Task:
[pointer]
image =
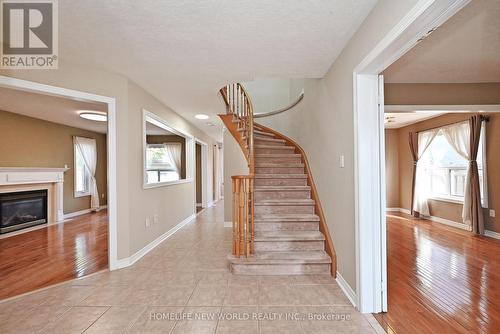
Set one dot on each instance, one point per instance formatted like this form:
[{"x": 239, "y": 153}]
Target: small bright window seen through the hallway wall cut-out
[{"x": 159, "y": 167}]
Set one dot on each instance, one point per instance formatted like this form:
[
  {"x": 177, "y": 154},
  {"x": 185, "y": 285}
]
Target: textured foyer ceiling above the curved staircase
[{"x": 182, "y": 52}]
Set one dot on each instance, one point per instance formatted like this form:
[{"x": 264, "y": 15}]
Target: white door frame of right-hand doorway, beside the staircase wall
[{"x": 370, "y": 224}]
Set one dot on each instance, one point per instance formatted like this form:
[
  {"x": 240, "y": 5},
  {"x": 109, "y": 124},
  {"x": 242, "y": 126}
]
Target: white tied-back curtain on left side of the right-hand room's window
[{"x": 420, "y": 196}]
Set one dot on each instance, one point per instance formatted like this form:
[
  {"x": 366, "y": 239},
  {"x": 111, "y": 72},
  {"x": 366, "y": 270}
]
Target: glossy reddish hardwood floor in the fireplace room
[{"x": 53, "y": 254}]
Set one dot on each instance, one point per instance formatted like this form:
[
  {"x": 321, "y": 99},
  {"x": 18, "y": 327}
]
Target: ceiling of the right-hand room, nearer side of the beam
[{"x": 465, "y": 49}]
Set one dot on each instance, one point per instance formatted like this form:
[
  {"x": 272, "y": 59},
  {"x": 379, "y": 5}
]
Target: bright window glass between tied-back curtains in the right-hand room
[{"x": 446, "y": 170}]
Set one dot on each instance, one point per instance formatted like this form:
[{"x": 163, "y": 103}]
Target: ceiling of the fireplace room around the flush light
[{"x": 51, "y": 108}]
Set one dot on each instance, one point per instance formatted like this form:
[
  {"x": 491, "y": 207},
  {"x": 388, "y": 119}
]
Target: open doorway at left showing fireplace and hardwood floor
[{"x": 53, "y": 189}]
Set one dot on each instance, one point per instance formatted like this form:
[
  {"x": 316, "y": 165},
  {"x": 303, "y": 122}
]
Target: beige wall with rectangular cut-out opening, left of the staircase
[{"x": 174, "y": 203}]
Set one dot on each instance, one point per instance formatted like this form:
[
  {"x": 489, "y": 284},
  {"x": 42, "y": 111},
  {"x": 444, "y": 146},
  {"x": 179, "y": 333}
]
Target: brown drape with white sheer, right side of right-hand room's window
[{"x": 464, "y": 138}]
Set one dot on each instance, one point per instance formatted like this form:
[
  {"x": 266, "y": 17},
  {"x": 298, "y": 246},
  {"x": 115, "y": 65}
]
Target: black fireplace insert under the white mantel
[{"x": 19, "y": 210}]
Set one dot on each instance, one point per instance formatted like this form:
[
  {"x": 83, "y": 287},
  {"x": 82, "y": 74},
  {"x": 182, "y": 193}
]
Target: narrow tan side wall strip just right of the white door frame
[{"x": 392, "y": 168}]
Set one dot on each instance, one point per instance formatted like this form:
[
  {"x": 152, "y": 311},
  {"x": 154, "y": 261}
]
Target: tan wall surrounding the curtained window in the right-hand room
[{"x": 442, "y": 209}]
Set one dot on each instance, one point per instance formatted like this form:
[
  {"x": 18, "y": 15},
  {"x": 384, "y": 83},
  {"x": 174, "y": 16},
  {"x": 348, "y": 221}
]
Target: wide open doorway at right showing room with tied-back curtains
[{"x": 441, "y": 130}]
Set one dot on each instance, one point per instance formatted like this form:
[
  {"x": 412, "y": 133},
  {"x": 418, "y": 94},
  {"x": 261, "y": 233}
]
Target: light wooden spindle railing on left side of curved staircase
[{"x": 239, "y": 121}]
